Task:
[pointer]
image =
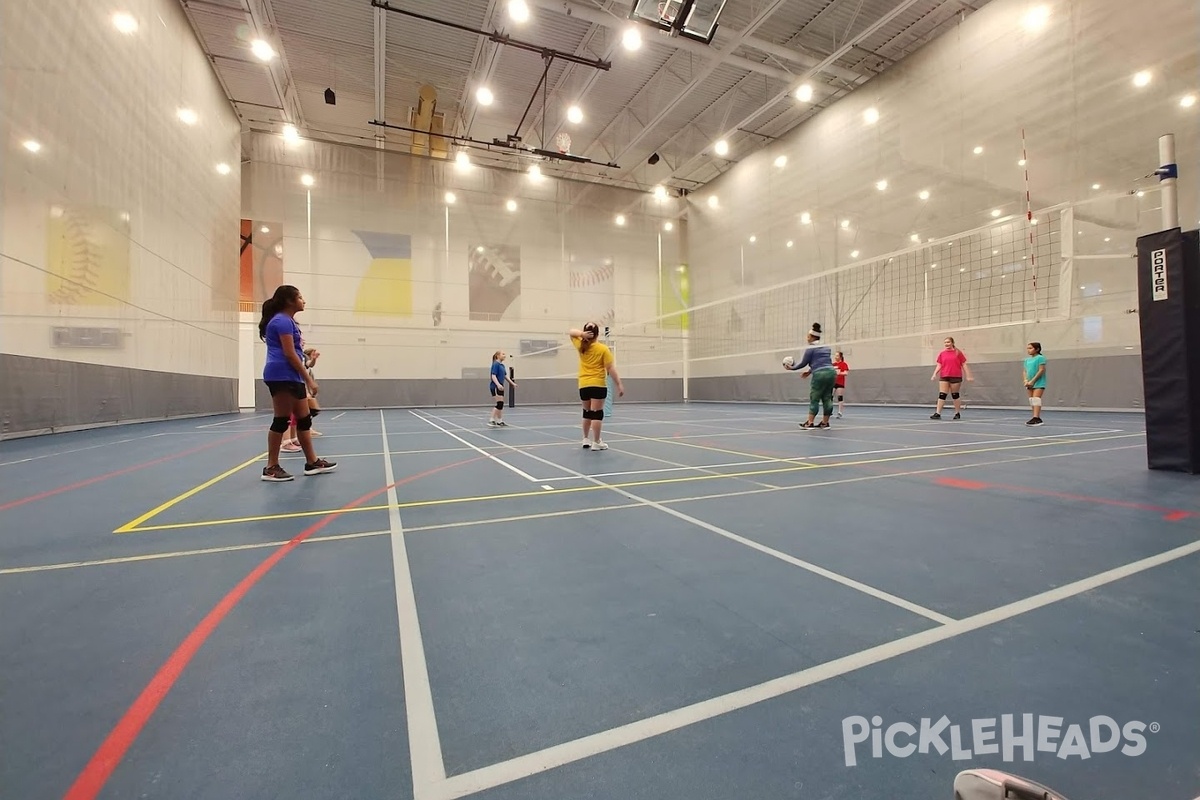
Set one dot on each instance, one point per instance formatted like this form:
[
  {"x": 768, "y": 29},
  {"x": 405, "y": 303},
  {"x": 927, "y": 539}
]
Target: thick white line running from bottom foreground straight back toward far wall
[{"x": 424, "y": 745}]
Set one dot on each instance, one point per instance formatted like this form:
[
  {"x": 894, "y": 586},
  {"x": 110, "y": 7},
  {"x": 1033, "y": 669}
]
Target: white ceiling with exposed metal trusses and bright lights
[{"x": 674, "y": 97}]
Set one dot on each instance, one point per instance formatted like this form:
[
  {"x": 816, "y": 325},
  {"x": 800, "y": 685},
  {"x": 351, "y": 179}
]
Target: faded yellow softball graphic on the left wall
[{"x": 88, "y": 257}]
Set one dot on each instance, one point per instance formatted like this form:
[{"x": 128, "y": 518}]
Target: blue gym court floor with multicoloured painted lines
[{"x": 719, "y": 606}]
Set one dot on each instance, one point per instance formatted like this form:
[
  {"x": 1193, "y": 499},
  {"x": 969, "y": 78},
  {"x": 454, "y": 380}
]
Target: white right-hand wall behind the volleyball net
[{"x": 1069, "y": 88}]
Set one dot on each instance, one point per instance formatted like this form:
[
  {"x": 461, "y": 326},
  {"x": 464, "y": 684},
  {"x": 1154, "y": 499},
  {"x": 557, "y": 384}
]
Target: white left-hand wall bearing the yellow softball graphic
[{"x": 122, "y": 220}]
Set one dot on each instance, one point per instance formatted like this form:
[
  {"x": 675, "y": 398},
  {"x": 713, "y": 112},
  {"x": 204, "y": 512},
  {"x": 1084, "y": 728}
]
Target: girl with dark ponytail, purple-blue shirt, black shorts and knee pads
[{"x": 289, "y": 382}]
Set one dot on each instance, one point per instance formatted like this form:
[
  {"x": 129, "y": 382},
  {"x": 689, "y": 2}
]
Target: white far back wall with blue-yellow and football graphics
[{"x": 575, "y": 262}]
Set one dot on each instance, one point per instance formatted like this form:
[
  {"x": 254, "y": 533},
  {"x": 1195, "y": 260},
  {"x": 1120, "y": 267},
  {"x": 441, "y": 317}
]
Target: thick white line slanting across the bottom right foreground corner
[{"x": 573, "y": 751}]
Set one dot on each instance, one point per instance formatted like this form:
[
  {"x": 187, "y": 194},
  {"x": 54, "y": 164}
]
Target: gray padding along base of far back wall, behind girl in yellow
[{"x": 454, "y": 392}]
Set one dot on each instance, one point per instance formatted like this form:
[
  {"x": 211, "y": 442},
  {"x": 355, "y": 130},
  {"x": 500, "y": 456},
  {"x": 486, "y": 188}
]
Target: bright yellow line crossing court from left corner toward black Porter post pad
[{"x": 688, "y": 479}]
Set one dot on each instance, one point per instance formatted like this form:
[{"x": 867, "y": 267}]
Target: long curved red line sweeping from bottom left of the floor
[{"x": 94, "y": 777}]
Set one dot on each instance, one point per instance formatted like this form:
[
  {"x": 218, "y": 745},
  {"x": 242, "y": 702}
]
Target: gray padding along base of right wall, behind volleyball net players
[{"x": 1099, "y": 383}]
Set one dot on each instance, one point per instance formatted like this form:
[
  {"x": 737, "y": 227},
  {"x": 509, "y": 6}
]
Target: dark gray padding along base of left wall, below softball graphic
[{"x": 45, "y": 395}]
